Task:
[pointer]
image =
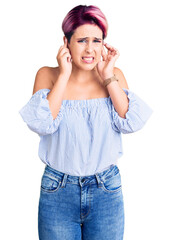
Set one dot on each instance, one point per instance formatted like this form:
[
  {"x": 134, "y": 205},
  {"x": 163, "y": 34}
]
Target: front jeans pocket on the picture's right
[{"x": 112, "y": 184}]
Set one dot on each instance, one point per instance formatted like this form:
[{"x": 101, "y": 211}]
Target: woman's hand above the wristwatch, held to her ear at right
[{"x": 106, "y": 66}]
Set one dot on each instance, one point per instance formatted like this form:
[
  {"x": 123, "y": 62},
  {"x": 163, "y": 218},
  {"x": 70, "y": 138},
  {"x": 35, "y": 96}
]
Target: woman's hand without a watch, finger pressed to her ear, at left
[{"x": 64, "y": 59}]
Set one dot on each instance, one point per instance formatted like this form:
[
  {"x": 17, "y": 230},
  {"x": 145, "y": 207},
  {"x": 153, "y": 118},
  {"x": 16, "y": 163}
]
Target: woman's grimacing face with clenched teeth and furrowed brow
[{"x": 86, "y": 45}]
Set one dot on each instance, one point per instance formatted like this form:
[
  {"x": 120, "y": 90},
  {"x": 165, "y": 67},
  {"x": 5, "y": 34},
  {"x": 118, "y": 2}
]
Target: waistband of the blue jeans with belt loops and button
[{"x": 81, "y": 180}]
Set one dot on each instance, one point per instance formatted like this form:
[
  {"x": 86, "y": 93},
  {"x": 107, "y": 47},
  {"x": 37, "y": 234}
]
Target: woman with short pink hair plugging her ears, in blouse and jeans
[{"x": 79, "y": 109}]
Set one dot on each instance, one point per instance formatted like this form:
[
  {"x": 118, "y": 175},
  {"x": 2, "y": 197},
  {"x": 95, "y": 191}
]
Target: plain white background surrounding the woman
[{"x": 30, "y": 38}]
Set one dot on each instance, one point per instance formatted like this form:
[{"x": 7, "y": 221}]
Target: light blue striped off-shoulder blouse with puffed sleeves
[{"x": 85, "y": 137}]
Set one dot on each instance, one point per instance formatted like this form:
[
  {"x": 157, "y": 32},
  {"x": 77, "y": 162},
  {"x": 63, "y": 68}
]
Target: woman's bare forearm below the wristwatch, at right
[{"x": 119, "y": 98}]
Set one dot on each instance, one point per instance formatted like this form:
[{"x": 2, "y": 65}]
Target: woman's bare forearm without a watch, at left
[{"x": 55, "y": 96}]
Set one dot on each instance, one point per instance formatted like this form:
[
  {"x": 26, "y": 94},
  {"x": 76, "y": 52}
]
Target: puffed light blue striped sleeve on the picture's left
[{"x": 37, "y": 114}]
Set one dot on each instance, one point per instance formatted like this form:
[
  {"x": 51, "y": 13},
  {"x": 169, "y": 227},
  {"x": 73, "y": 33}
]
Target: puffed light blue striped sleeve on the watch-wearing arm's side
[{"x": 137, "y": 115}]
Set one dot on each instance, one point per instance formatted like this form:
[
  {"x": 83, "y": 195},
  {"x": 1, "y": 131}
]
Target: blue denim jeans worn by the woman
[{"x": 75, "y": 208}]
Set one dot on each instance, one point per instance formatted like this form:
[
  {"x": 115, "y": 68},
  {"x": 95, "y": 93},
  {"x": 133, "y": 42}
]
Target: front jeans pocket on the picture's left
[{"x": 49, "y": 183}]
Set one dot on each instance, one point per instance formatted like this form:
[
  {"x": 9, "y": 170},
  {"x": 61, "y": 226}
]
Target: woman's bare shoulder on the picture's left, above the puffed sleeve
[{"x": 45, "y": 78}]
